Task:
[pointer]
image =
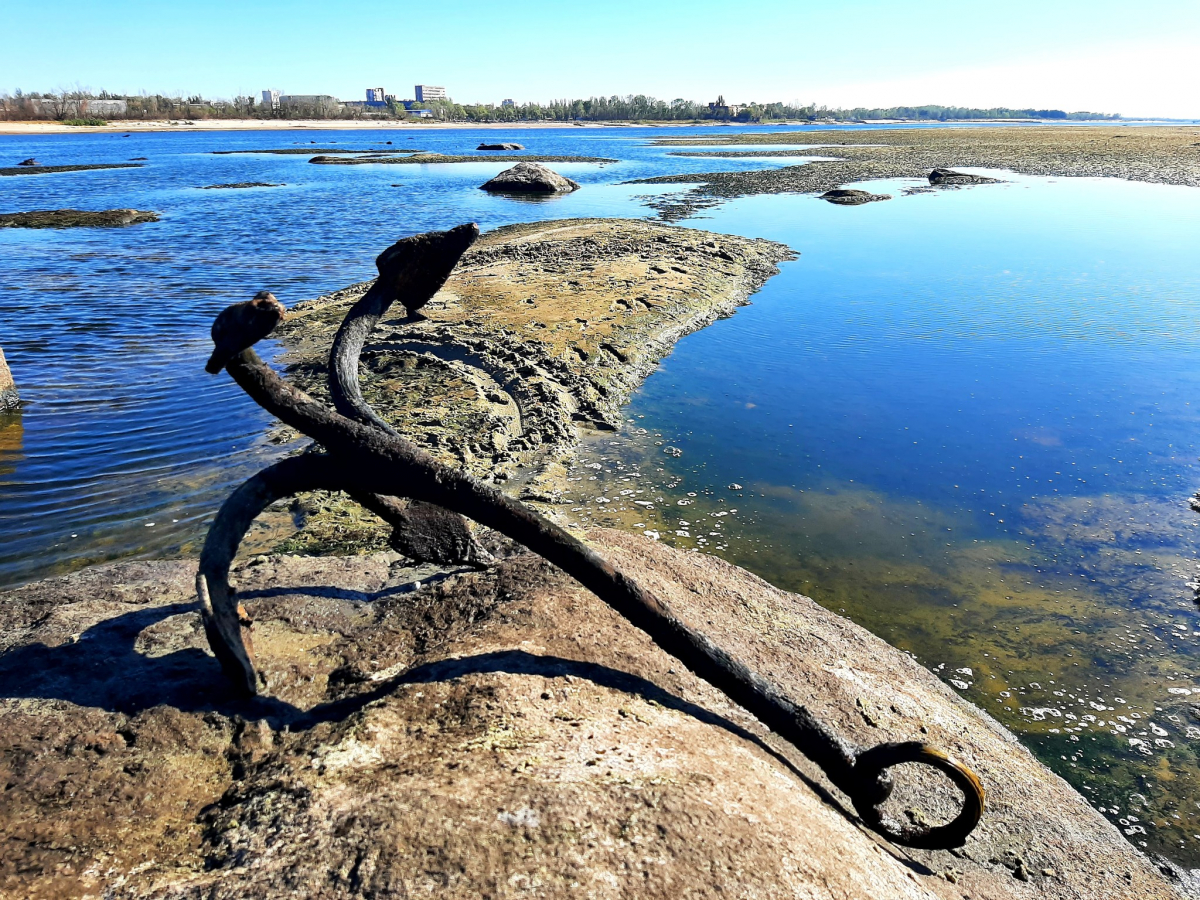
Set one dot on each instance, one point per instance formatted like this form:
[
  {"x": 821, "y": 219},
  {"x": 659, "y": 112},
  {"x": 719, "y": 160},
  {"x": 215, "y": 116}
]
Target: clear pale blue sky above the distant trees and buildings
[{"x": 1097, "y": 55}]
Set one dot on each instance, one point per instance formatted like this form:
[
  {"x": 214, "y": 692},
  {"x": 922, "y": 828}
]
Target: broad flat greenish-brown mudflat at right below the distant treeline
[{"x": 1163, "y": 155}]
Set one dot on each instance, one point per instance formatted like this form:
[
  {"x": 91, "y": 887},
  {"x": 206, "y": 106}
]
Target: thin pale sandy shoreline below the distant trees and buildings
[{"x": 53, "y": 128}]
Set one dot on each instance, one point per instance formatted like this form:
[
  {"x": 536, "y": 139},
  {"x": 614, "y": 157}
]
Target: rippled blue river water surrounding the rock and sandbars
[{"x": 968, "y": 419}]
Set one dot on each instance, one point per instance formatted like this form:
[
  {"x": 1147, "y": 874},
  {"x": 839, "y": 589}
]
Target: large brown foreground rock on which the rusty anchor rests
[{"x": 501, "y": 734}]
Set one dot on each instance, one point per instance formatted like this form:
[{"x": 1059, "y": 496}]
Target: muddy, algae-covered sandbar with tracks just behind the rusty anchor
[{"x": 542, "y": 333}]
